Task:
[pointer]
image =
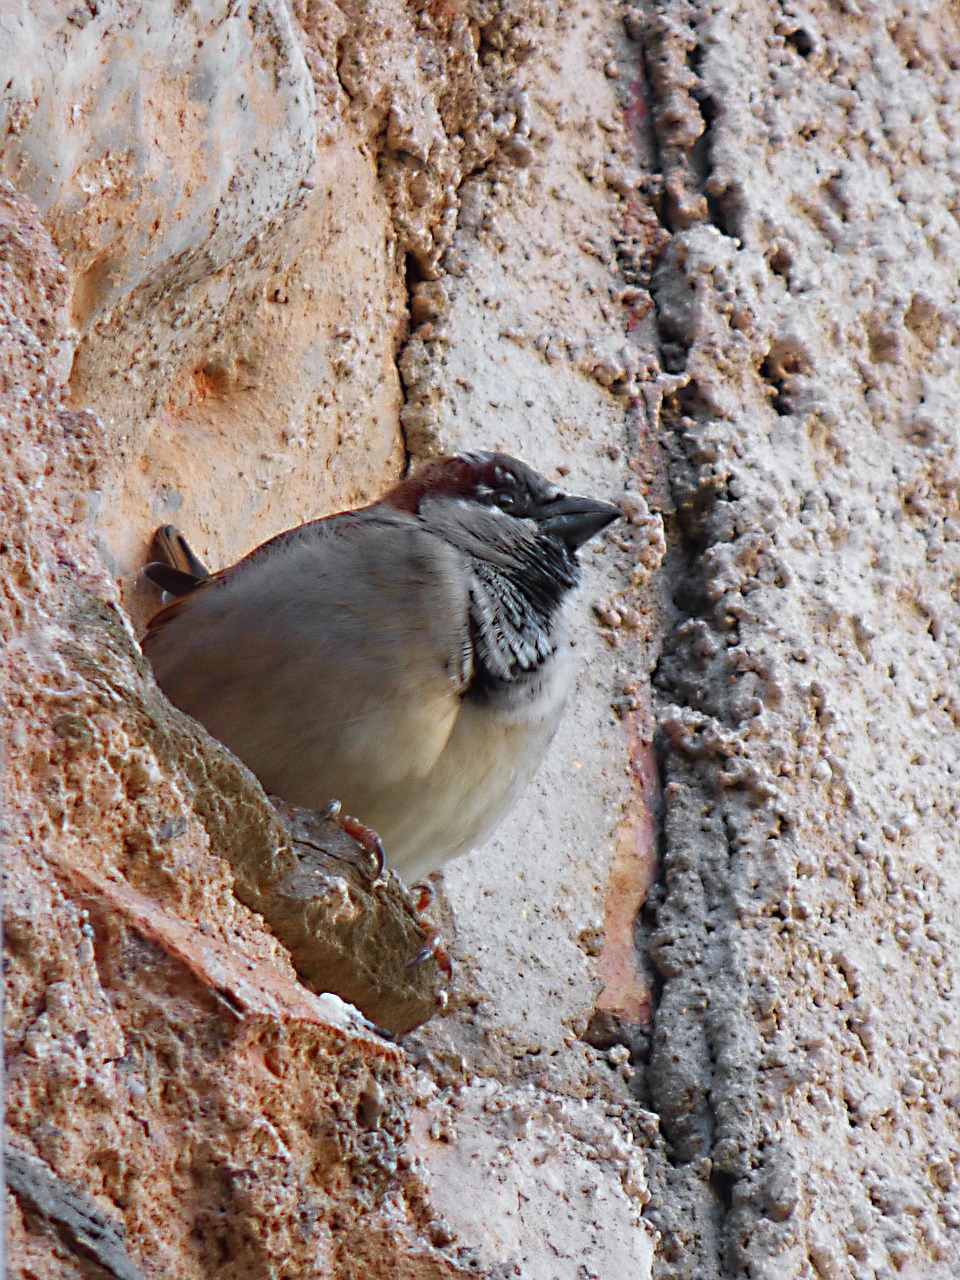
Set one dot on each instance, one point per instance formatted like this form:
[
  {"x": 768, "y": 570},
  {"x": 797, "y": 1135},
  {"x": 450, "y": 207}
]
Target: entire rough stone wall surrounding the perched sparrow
[{"x": 254, "y": 260}]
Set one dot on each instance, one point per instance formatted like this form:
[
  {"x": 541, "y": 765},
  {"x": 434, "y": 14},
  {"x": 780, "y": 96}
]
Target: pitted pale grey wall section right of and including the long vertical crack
[{"x": 806, "y": 1059}]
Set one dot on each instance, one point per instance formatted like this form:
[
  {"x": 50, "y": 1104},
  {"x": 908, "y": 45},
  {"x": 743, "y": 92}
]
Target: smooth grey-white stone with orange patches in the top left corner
[{"x": 102, "y": 98}]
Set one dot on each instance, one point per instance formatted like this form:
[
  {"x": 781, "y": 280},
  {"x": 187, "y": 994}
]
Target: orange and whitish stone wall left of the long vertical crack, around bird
[{"x": 301, "y": 246}]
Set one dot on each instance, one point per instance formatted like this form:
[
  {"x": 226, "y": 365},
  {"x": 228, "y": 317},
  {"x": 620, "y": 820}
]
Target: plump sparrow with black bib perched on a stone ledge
[{"x": 410, "y": 659}]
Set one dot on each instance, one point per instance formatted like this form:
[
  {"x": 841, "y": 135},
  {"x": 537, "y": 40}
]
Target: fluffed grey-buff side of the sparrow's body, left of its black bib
[{"x": 345, "y": 646}]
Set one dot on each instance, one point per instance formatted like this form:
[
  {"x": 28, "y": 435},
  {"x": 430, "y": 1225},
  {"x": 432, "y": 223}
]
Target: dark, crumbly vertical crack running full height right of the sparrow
[{"x": 703, "y": 1057}]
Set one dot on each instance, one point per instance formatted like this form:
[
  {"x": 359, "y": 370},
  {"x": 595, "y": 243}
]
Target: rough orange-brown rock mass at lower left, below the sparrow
[{"x": 163, "y": 1059}]
